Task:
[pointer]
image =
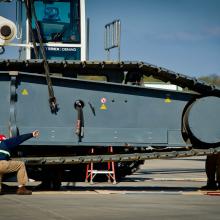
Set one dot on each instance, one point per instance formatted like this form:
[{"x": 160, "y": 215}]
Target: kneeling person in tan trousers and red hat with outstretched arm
[{"x": 9, "y": 166}]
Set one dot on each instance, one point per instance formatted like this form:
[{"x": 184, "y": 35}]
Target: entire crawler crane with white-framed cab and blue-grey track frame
[{"x": 44, "y": 90}]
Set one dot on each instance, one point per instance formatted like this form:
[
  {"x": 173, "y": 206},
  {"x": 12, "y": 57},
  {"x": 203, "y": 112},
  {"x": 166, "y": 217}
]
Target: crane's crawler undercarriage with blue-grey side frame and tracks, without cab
[{"x": 139, "y": 123}]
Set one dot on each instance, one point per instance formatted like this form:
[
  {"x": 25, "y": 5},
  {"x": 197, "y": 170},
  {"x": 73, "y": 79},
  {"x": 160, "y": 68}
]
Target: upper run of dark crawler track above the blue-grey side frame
[{"x": 104, "y": 67}]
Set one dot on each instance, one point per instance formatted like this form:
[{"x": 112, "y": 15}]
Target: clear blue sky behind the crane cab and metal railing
[{"x": 181, "y": 35}]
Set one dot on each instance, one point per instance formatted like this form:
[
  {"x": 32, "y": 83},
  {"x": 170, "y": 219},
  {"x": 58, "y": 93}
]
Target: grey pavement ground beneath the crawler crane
[{"x": 167, "y": 189}]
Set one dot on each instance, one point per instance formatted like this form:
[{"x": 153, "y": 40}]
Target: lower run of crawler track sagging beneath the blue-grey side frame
[{"x": 118, "y": 157}]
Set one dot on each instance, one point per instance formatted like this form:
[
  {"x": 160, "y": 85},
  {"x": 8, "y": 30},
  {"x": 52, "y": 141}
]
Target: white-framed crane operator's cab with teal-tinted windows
[{"x": 62, "y": 27}]
